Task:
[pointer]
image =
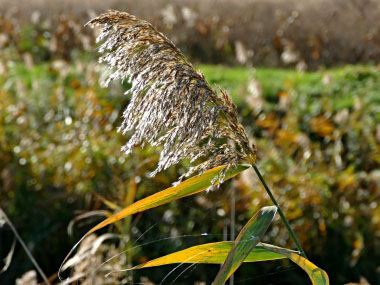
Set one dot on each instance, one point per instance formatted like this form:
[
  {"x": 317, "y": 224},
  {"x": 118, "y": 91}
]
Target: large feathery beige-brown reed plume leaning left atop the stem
[{"x": 172, "y": 105}]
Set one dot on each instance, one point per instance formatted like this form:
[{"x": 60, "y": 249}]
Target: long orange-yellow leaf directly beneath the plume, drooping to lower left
[{"x": 189, "y": 187}]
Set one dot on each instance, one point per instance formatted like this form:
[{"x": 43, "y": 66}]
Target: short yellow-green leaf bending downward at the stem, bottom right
[{"x": 316, "y": 274}]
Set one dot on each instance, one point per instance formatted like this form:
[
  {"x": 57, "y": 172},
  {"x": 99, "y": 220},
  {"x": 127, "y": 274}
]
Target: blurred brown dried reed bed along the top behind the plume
[{"x": 287, "y": 33}]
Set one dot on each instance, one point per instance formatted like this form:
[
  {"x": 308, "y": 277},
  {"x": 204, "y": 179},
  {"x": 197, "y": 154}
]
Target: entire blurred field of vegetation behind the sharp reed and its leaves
[{"x": 306, "y": 78}]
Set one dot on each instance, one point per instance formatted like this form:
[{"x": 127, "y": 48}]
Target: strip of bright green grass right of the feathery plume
[{"x": 346, "y": 84}]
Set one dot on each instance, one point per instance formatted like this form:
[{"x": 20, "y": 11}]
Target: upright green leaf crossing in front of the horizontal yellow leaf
[{"x": 246, "y": 241}]
